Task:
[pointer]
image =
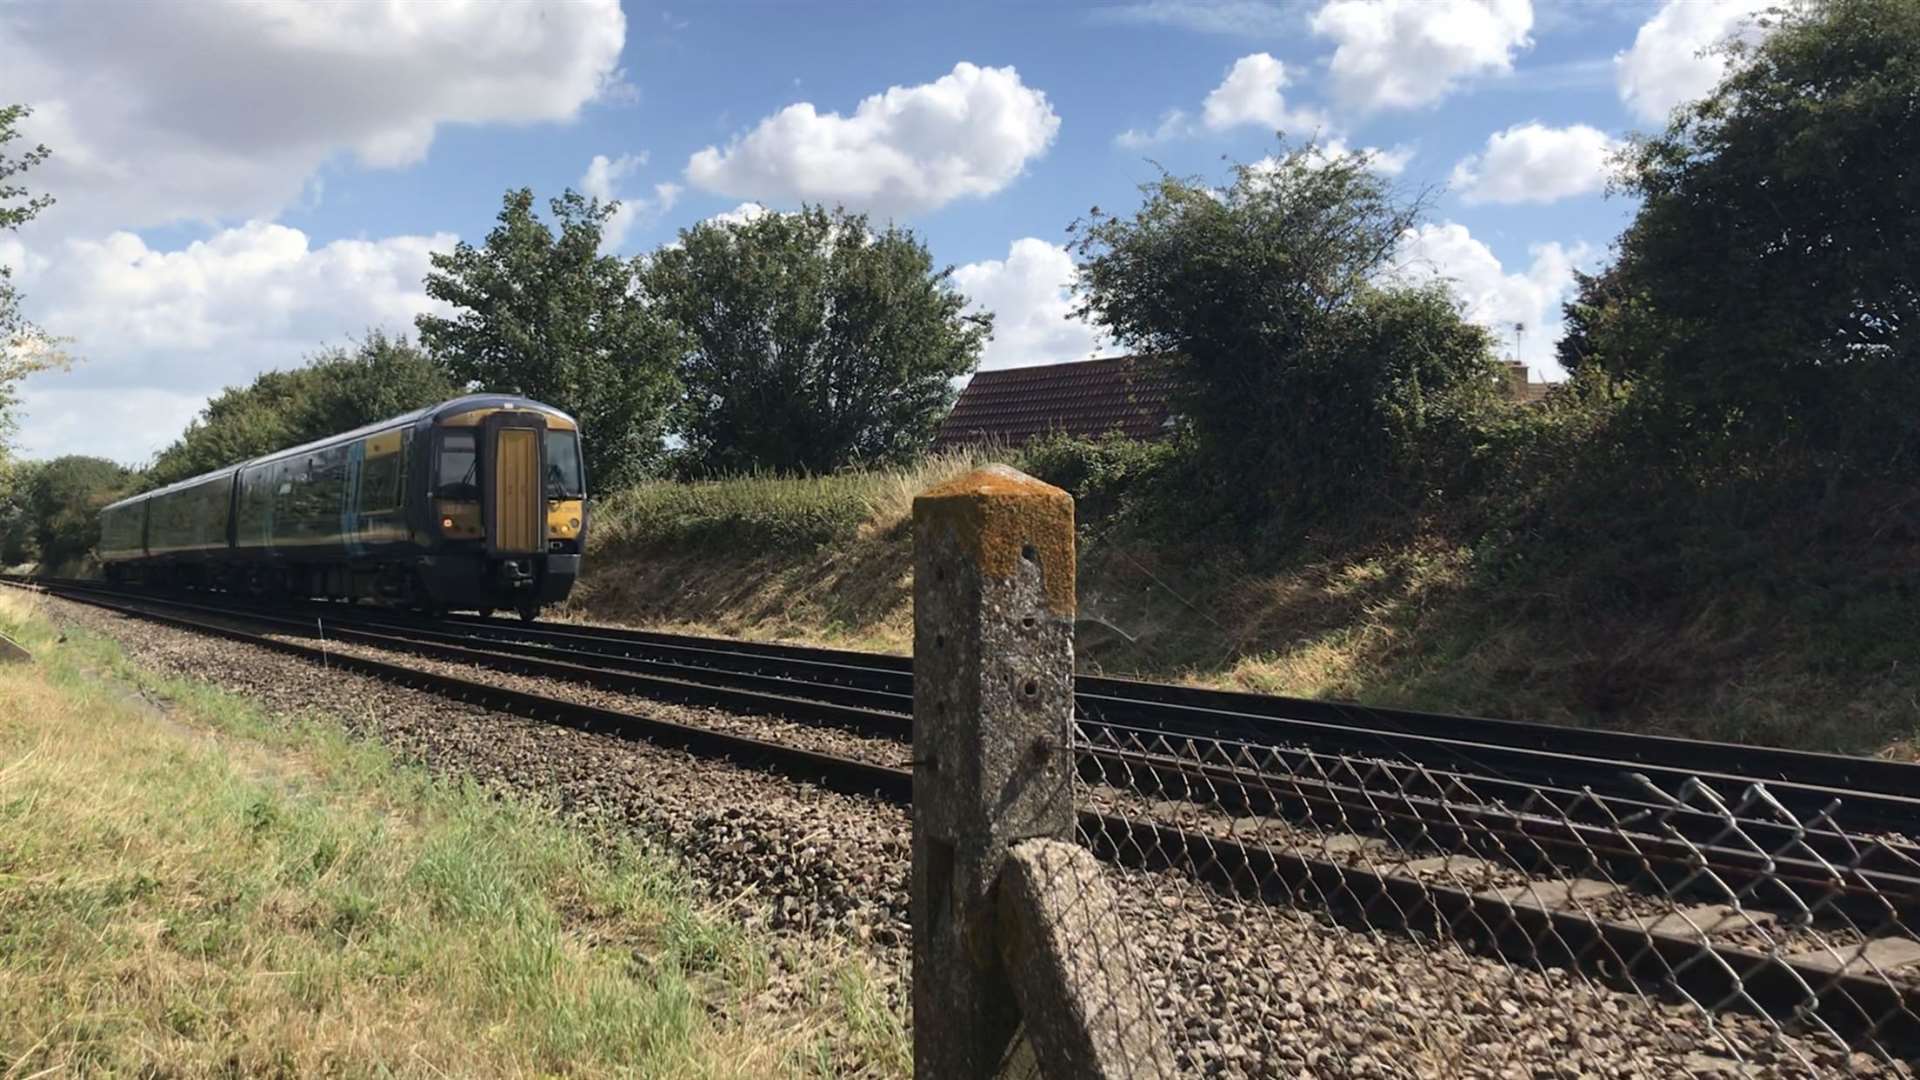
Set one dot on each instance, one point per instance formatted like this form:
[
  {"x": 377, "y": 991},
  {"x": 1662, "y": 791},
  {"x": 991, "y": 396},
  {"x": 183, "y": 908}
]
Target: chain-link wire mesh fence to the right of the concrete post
[{"x": 1293, "y": 912}]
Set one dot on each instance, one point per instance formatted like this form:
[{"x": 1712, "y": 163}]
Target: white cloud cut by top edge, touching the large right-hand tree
[{"x": 1668, "y": 62}]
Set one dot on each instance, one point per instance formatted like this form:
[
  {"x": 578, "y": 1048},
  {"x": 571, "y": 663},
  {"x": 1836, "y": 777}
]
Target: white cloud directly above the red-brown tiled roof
[{"x": 1030, "y": 295}]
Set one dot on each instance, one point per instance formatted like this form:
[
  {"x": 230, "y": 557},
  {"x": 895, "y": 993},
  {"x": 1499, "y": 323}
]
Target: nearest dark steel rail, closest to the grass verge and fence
[{"x": 1856, "y": 1006}]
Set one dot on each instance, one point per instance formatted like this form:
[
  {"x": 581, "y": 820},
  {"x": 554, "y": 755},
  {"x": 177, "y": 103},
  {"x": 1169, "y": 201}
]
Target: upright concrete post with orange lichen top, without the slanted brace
[{"x": 994, "y": 764}]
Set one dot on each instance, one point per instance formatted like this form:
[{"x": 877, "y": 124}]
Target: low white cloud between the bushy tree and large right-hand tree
[{"x": 1495, "y": 297}]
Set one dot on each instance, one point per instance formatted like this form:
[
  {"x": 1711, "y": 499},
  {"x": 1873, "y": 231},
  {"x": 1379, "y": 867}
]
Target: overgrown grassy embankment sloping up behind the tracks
[{"x": 1796, "y": 633}]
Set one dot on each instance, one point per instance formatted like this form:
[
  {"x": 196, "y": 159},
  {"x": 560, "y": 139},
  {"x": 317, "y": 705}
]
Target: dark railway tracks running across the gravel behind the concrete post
[{"x": 1249, "y": 758}]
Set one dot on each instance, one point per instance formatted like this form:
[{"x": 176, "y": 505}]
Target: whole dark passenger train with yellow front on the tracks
[{"x": 475, "y": 504}]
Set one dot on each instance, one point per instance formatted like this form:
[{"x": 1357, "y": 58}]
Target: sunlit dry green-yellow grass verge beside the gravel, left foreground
[{"x": 195, "y": 889}]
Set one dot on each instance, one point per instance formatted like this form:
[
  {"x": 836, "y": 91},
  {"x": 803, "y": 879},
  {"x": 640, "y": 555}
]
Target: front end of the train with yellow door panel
[{"x": 506, "y": 504}]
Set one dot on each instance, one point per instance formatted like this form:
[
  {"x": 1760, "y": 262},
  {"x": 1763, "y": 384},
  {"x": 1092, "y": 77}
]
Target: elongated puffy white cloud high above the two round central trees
[{"x": 911, "y": 149}]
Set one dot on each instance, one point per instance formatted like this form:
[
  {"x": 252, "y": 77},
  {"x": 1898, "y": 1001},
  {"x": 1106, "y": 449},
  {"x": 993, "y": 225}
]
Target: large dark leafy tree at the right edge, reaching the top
[{"x": 1767, "y": 285}]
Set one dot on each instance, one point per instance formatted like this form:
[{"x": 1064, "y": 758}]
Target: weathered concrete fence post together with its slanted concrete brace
[{"x": 1011, "y": 920}]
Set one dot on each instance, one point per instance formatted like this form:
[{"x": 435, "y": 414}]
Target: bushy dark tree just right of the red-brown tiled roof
[{"x": 1307, "y": 376}]
